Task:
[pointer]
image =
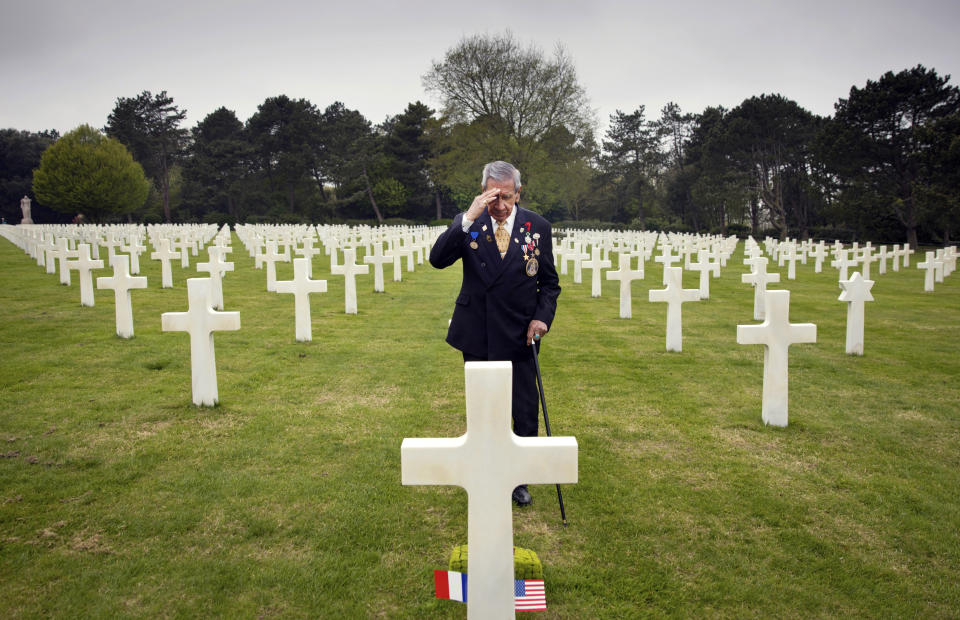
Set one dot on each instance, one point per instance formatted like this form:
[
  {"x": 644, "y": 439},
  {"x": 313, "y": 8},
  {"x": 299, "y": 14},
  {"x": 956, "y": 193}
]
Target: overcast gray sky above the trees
[{"x": 63, "y": 63}]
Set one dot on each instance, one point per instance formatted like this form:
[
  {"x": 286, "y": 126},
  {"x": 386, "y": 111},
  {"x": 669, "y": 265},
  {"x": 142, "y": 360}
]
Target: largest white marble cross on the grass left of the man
[{"x": 201, "y": 320}]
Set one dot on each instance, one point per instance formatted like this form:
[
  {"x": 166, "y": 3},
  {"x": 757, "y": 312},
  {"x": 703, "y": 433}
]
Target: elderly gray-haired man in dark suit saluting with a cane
[{"x": 510, "y": 287}]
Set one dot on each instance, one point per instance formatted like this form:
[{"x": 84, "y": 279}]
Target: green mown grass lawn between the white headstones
[{"x": 118, "y": 497}]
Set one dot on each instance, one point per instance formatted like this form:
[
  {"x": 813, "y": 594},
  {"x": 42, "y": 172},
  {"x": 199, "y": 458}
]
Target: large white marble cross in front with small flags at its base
[{"x": 489, "y": 461}]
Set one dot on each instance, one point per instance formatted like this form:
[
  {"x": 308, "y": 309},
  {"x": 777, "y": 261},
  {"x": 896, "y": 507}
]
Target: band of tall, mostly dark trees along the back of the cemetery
[{"x": 883, "y": 167}]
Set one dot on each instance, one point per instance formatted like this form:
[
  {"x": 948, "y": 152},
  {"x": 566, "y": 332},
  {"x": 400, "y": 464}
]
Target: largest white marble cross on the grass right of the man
[{"x": 776, "y": 333}]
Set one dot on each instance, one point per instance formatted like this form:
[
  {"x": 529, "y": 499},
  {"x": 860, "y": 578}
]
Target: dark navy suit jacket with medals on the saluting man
[{"x": 498, "y": 299}]
